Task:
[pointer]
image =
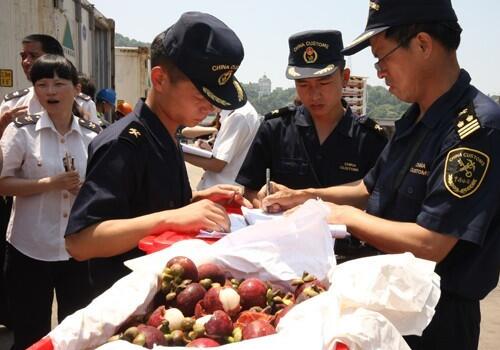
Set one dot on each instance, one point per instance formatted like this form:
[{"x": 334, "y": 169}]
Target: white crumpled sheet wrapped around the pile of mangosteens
[{"x": 371, "y": 300}]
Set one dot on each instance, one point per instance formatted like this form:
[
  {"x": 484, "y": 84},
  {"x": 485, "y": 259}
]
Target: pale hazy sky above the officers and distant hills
[{"x": 264, "y": 28}]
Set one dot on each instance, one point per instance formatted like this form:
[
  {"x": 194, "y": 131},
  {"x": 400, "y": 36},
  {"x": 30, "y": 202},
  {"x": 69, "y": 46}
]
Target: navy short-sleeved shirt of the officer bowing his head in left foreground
[{"x": 134, "y": 168}]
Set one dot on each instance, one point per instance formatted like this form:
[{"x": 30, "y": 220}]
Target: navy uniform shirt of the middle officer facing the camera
[{"x": 290, "y": 147}]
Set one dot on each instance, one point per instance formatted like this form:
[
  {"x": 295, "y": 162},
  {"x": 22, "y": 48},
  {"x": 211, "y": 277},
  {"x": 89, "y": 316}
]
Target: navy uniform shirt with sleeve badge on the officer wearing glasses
[{"x": 451, "y": 184}]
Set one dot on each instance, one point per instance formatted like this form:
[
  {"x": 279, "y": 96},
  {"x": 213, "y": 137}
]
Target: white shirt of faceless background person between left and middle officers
[{"x": 237, "y": 130}]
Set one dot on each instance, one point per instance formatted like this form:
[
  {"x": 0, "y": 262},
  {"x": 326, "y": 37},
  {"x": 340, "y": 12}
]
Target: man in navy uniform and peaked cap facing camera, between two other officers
[{"x": 321, "y": 143}]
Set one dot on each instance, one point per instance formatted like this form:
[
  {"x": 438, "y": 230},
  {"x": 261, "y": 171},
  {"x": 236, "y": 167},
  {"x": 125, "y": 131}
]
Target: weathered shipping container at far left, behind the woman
[{"x": 59, "y": 19}]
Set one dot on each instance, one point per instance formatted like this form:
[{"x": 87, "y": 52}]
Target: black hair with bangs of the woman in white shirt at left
[{"x": 49, "y": 65}]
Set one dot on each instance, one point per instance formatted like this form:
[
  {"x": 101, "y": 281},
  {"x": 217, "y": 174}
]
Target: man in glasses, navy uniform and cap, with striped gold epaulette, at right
[{"x": 434, "y": 190}]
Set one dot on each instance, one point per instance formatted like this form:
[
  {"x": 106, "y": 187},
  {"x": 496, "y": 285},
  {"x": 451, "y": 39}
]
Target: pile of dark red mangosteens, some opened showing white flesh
[{"x": 202, "y": 307}]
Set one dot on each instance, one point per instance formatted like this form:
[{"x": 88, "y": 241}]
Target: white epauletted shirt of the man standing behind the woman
[{"x": 35, "y": 107}]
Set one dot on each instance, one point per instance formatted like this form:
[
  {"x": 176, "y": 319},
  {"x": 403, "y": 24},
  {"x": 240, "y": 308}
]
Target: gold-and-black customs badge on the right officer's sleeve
[{"x": 465, "y": 170}]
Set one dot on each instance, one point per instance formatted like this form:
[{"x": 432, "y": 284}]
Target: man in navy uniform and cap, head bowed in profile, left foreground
[{"x": 136, "y": 182}]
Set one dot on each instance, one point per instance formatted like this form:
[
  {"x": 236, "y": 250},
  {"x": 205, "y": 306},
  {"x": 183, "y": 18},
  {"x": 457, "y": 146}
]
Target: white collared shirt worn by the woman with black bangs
[{"x": 38, "y": 222}]
